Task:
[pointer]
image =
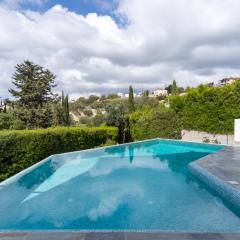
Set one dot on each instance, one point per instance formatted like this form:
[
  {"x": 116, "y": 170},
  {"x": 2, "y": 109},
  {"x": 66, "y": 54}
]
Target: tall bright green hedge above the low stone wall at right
[{"x": 209, "y": 109}]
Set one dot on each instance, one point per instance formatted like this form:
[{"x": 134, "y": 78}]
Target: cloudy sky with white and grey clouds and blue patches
[{"x": 102, "y": 46}]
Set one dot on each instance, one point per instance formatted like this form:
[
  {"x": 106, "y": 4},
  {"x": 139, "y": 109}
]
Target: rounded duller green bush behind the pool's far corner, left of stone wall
[{"x": 158, "y": 122}]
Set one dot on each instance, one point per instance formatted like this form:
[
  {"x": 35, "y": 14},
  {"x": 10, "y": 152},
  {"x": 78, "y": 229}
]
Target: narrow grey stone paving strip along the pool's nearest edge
[{"x": 118, "y": 236}]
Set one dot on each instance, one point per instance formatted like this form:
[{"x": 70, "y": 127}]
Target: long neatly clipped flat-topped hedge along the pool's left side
[{"x": 21, "y": 149}]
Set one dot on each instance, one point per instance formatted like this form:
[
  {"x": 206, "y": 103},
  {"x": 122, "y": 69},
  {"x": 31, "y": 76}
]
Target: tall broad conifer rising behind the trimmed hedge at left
[{"x": 33, "y": 91}]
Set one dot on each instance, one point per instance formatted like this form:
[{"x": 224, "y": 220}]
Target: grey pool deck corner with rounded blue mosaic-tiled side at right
[{"x": 220, "y": 171}]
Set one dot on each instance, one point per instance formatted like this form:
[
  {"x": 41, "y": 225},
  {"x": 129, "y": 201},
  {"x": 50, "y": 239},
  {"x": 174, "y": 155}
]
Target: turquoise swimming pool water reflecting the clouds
[{"x": 140, "y": 186}]
